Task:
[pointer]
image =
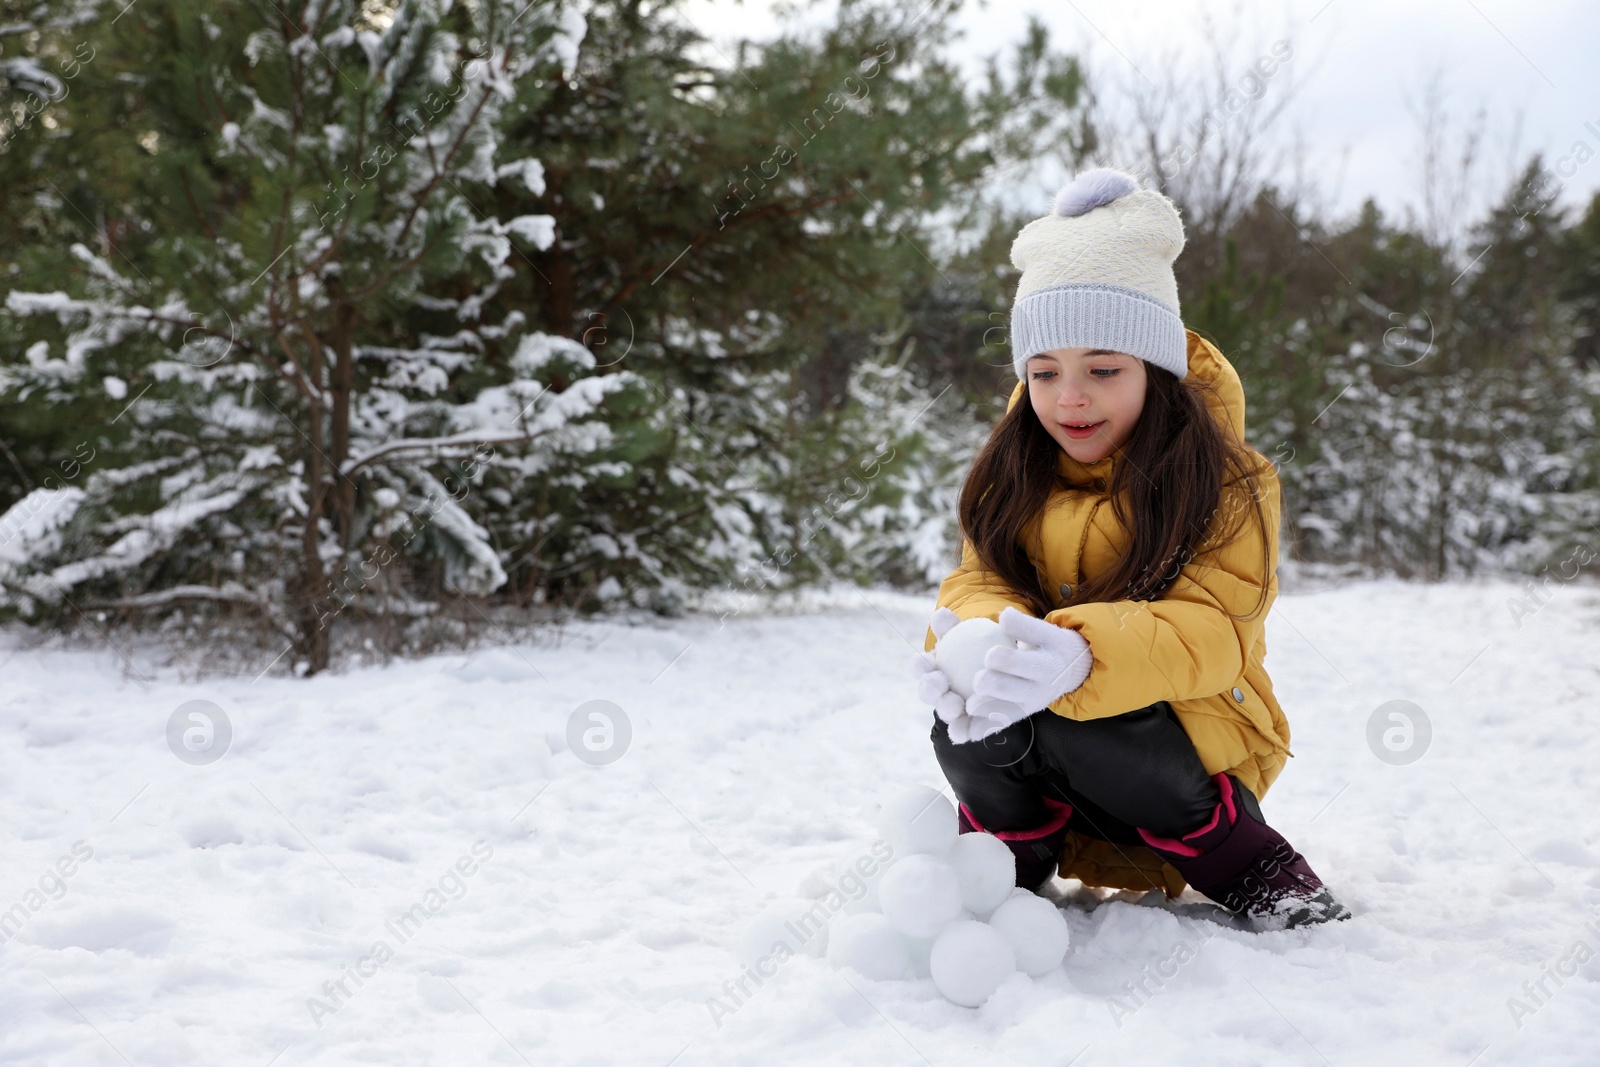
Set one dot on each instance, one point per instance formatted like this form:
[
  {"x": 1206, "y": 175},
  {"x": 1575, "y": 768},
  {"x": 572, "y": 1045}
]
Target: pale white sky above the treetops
[{"x": 1529, "y": 63}]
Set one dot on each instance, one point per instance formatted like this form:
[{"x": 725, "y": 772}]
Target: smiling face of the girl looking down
[{"x": 1095, "y": 388}]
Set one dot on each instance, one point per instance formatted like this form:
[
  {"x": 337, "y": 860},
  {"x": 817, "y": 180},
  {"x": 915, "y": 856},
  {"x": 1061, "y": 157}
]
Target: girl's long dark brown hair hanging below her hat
[{"x": 1166, "y": 489}]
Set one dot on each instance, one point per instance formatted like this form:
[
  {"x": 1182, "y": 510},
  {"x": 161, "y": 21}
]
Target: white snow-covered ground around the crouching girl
[{"x": 564, "y": 913}]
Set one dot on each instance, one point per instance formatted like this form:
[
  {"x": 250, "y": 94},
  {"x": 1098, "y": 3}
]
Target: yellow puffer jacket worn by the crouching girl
[{"x": 1182, "y": 649}]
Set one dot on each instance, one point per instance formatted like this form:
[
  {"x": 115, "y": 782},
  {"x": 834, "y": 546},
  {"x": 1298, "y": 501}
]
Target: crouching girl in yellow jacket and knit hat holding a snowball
[{"x": 1121, "y": 530}]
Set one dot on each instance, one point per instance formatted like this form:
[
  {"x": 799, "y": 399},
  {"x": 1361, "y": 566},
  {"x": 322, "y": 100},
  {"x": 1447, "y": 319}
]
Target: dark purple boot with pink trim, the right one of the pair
[{"x": 1246, "y": 866}]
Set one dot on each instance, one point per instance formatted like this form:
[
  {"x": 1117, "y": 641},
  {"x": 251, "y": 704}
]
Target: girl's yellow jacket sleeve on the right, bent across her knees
[{"x": 1191, "y": 642}]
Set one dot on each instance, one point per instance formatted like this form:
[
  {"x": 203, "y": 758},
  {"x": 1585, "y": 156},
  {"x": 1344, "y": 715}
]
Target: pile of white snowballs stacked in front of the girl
[{"x": 946, "y": 908}]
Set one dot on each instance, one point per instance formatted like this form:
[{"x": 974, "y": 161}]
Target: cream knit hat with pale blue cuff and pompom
[{"x": 1098, "y": 274}]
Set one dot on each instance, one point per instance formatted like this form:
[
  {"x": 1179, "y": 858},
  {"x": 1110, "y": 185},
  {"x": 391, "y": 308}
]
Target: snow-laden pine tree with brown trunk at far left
[{"x": 308, "y": 406}]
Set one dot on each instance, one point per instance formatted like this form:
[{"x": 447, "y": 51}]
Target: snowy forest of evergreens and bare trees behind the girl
[{"x": 366, "y": 329}]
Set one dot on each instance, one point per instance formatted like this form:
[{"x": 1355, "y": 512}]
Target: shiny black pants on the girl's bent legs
[{"x": 1122, "y": 772}]
